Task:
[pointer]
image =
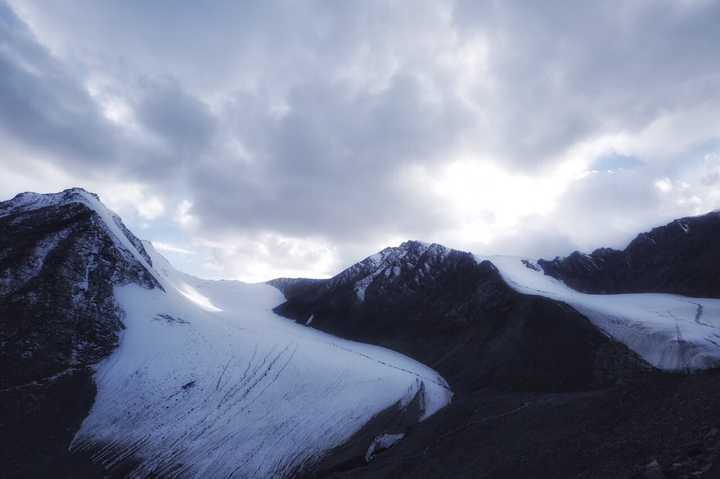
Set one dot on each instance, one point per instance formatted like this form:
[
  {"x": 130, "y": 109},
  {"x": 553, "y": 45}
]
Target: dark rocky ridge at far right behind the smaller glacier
[{"x": 681, "y": 257}]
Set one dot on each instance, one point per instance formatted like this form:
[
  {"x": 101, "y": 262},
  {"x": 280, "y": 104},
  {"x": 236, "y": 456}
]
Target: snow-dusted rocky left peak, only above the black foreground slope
[{"x": 61, "y": 255}]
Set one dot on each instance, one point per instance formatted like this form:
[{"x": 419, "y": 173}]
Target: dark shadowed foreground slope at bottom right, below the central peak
[{"x": 660, "y": 426}]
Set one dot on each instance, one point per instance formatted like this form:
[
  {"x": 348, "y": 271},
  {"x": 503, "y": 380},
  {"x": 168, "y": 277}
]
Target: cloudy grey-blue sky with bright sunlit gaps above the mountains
[{"x": 257, "y": 139}]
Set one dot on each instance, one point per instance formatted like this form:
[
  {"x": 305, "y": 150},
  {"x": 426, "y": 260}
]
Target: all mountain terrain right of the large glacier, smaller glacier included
[{"x": 551, "y": 380}]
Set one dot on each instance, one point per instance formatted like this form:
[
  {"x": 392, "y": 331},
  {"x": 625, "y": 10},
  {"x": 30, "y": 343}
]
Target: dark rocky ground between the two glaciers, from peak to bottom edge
[{"x": 541, "y": 393}]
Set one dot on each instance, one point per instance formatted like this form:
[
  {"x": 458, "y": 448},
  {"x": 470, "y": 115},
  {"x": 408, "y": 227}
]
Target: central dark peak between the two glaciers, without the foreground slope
[{"x": 443, "y": 308}]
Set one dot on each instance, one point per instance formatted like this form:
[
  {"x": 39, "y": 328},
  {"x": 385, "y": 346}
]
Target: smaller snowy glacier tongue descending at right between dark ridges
[{"x": 671, "y": 332}]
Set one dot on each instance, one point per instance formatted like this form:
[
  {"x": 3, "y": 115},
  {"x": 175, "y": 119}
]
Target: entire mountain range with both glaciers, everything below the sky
[{"x": 438, "y": 362}]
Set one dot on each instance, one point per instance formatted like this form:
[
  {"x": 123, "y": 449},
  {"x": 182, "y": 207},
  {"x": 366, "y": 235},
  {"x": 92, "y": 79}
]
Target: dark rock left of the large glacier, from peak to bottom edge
[{"x": 58, "y": 316}]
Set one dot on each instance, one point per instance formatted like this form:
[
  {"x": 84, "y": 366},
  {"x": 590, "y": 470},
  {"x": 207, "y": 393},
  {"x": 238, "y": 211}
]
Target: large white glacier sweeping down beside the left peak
[{"x": 208, "y": 382}]
